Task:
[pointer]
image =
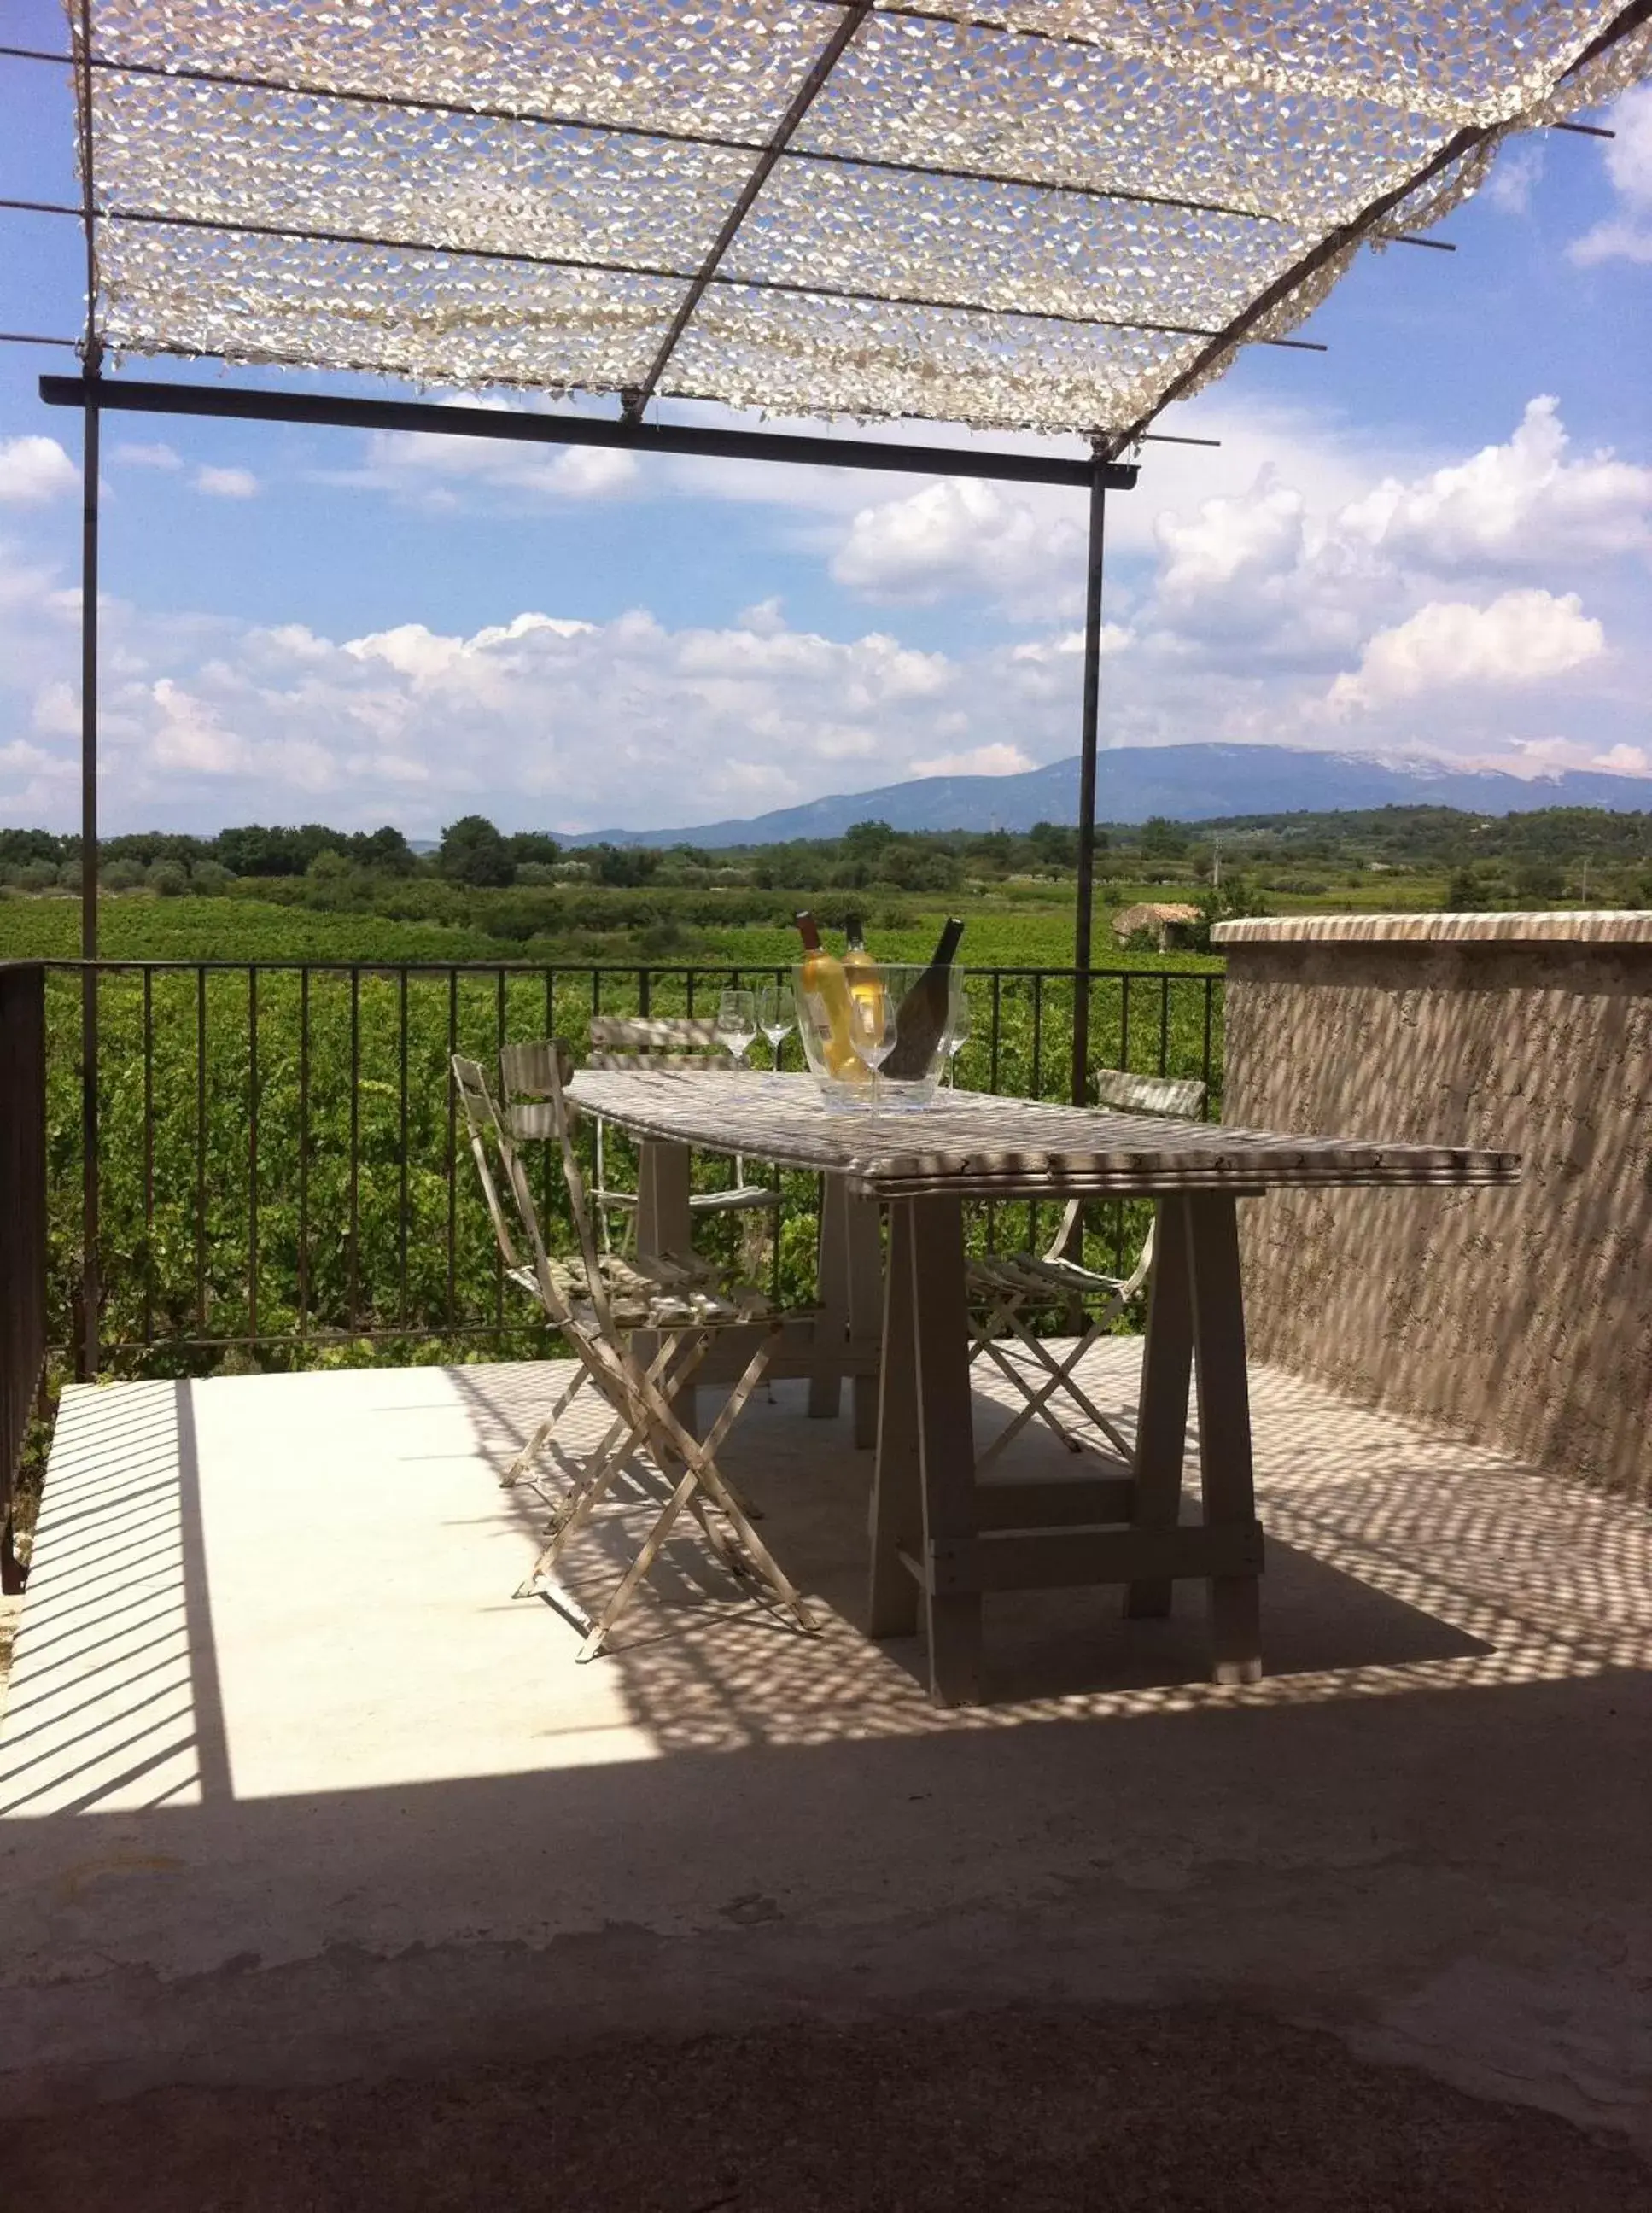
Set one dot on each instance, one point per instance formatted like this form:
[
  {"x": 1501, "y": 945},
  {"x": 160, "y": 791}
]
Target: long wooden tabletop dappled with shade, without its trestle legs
[{"x": 974, "y": 1143}]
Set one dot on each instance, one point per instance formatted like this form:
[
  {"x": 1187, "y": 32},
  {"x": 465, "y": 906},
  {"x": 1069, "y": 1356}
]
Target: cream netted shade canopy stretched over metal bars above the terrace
[{"x": 1041, "y": 216}]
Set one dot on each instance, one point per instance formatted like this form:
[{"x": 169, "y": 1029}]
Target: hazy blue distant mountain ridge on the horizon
[{"x": 1182, "y": 782}]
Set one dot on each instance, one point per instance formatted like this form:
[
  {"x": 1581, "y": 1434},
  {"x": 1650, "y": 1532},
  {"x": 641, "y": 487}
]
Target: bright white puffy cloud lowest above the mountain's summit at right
[{"x": 1520, "y": 638}]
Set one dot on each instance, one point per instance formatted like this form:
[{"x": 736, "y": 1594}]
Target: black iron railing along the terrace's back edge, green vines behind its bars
[{"x": 280, "y": 1170}]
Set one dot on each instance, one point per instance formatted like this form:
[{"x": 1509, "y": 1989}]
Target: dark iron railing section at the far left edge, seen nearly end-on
[{"x": 23, "y": 1225}]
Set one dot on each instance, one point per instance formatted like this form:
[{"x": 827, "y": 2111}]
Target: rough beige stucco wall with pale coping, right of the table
[{"x": 1523, "y": 1318}]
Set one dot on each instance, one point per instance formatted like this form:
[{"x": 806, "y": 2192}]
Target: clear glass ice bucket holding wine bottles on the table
[{"x": 877, "y": 1039}]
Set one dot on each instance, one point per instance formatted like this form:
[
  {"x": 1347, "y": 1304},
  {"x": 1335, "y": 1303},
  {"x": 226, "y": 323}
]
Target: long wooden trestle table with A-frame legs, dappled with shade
[{"x": 939, "y": 1537}]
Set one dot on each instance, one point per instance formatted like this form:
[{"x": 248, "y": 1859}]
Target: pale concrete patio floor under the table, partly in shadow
[{"x": 295, "y": 1794}]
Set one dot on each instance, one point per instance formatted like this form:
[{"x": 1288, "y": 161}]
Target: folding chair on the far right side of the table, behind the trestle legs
[{"x": 1007, "y": 1289}]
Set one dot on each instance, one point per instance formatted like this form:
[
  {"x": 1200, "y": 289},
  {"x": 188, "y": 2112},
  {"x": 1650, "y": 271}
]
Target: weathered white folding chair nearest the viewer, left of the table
[{"x": 603, "y": 1305}]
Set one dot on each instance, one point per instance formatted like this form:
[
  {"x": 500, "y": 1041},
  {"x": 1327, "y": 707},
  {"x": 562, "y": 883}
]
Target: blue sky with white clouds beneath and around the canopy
[{"x": 1432, "y": 539}]
